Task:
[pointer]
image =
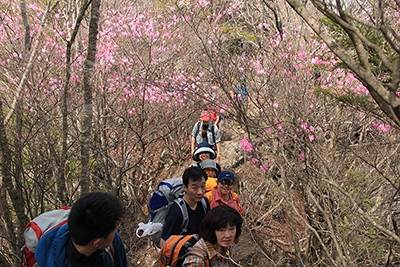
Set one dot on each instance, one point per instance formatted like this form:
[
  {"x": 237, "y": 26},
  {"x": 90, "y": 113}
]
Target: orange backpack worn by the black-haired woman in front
[{"x": 177, "y": 247}]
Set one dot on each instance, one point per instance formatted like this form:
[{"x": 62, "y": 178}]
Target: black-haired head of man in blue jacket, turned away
[{"x": 95, "y": 216}]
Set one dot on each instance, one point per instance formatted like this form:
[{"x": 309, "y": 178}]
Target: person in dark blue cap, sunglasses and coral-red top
[{"x": 223, "y": 195}]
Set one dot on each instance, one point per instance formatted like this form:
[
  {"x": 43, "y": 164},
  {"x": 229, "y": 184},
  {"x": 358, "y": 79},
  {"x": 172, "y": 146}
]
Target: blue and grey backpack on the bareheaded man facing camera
[{"x": 168, "y": 192}]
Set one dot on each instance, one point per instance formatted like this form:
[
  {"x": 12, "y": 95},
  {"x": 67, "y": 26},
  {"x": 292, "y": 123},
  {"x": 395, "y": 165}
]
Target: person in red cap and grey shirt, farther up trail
[{"x": 206, "y": 131}]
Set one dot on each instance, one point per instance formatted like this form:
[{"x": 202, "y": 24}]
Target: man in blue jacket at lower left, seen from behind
[{"x": 85, "y": 240}]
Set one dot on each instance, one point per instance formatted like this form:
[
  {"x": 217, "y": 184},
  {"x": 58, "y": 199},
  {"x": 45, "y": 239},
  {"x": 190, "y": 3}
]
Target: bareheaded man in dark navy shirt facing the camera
[{"x": 194, "y": 184}]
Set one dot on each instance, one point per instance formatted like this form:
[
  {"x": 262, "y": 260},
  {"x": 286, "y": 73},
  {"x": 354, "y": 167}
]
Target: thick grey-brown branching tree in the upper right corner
[{"x": 366, "y": 39}]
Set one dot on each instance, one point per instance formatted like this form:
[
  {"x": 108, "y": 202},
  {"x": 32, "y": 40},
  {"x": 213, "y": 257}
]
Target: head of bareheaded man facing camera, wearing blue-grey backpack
[{"x": 194, "y": 184}]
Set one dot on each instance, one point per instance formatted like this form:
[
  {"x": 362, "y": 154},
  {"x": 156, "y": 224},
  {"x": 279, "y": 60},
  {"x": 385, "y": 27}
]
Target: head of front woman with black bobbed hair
[{"x": 222, "y": 225}]
